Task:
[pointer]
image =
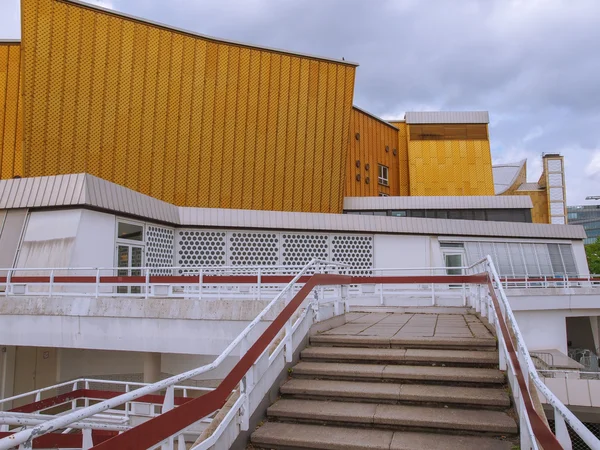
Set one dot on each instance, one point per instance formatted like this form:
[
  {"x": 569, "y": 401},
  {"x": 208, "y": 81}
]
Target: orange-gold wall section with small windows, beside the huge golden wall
[{"x": 371, "y": 142}]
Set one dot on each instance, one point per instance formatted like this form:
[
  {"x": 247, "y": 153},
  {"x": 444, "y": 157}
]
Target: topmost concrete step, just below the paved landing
[{"x": 452, "y": 343}]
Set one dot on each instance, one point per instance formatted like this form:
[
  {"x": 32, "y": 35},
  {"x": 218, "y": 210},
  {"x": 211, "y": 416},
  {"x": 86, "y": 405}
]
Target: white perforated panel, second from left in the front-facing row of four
[{"x": 253, "y": 249}]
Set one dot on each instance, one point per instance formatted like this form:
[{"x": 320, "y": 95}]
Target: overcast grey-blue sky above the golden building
[{"x": 533, "y": 64}]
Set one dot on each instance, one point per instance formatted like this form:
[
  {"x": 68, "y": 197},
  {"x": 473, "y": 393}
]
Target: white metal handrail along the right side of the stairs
[{"x": 562, "y": 414}]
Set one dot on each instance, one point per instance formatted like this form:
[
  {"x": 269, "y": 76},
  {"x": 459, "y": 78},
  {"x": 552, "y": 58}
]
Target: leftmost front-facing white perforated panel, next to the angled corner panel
[{"x": 196, "y": 248}]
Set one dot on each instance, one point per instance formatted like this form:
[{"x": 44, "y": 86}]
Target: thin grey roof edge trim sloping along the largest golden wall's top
[{"x": 203, "y": 36}]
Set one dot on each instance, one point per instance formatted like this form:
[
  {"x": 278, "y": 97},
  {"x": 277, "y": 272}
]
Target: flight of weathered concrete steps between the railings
[{"x": 372, "y": 392}]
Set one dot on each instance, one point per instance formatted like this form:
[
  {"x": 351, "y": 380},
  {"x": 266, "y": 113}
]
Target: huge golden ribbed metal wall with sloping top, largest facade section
[{"x": 183, "y": 118}]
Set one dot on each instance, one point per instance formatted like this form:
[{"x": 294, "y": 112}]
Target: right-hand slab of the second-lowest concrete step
[{"x": 483, "y": 421}]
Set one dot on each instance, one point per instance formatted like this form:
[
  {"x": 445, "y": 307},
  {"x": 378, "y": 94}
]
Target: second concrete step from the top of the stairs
[{"x": 401, "y": 356}]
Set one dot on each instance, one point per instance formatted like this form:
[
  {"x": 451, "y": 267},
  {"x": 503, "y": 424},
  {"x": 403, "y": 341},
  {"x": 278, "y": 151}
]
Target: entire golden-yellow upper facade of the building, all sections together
[{"x": 197, "y": 121}]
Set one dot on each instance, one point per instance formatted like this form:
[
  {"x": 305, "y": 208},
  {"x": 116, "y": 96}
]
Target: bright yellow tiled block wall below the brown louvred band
[{"x": 450, "y": 167}]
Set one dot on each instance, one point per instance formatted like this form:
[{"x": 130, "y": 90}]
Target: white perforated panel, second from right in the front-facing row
[{"x": 300, "y": 249}]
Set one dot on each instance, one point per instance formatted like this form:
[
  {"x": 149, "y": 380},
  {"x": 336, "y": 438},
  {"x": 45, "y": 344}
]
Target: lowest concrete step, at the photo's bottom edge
[{"x": 273, "y": 435}]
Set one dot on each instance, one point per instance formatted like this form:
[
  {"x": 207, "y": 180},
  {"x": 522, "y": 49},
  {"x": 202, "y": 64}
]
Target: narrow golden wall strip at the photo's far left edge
[{"x": 11, "y": 121}]
